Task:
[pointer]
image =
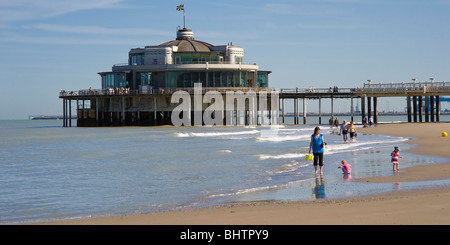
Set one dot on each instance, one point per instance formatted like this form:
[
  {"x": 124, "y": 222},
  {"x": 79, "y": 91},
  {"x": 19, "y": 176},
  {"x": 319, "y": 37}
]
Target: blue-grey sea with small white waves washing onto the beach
[{"x": 50, "y": 173}]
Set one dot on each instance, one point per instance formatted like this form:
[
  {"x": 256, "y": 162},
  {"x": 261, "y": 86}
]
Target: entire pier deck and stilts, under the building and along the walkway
[{"x": 154, "y": 107}]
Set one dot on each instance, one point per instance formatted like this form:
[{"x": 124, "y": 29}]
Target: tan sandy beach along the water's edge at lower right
[{"x": 417, "y": 207}]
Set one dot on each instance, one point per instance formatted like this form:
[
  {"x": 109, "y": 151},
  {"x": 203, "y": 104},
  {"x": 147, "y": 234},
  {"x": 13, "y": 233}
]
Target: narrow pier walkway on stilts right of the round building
[{"x": 428, "y": 92}]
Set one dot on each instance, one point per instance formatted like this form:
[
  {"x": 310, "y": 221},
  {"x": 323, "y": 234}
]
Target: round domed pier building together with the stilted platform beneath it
[{"x": 139, "y": 92}]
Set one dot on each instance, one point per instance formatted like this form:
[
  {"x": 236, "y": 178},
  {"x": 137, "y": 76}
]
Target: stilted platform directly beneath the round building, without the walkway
[{"x": 97, "y": 108}]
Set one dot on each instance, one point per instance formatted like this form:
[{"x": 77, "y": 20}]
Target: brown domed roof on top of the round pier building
[{"x": 186, "y": 43}]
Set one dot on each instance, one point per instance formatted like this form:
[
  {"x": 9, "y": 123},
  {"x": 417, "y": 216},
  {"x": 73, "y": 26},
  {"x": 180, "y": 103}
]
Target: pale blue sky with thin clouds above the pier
[{"x": 50, "y": 45}]
